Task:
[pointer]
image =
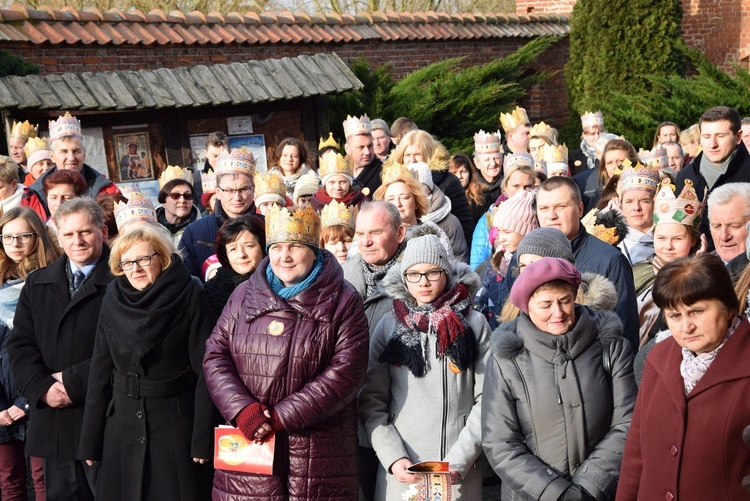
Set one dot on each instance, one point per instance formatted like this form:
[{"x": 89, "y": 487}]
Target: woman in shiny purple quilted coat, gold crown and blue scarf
[{"x": 289, "y": 355}]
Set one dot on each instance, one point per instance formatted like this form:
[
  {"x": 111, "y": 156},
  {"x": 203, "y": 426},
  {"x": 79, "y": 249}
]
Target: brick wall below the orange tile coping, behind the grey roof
[{"x": 547, "y": 102}]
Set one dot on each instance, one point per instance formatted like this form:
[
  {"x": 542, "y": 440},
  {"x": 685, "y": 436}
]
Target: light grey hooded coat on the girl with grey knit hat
[{"x": 435, "y": 417}]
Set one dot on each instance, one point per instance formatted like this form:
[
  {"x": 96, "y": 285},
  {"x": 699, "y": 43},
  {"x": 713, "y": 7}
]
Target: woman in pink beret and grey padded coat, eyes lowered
[{"x": 558, "y": 392}]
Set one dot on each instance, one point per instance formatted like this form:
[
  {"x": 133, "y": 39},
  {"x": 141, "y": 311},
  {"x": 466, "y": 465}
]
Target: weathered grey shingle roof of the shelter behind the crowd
[{"x": 235, "y": 83}]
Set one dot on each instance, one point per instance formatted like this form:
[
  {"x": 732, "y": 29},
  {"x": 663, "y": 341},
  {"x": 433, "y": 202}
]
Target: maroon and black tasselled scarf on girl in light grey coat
[{"x": 444, "y": 319}]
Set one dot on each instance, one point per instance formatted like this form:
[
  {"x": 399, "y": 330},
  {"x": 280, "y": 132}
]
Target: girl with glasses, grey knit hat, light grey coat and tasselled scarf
[{"x": 422, "y": 395}]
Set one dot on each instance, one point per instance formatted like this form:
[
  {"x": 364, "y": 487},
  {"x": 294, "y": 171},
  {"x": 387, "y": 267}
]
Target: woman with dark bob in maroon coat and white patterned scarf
[{"x": 685, "y": 440}]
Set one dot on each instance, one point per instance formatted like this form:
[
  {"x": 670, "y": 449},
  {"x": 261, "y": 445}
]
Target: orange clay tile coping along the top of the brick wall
[{"x": 93, "y": 26}]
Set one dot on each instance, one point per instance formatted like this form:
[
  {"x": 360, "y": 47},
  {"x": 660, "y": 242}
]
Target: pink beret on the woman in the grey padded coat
[{"x": 539, "y": 273}]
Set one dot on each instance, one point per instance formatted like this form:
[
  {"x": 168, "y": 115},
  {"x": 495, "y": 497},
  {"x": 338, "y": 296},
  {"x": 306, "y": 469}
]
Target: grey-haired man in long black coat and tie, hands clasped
[{"x": 51, "y": 345}]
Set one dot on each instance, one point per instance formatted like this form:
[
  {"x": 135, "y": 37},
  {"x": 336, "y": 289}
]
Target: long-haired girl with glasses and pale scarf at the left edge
[{"x": 26, "y": 246}]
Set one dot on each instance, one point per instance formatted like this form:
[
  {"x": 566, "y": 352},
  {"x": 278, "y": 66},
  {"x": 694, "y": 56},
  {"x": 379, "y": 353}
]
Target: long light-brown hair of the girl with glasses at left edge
[{"x": 44, "y": 252}]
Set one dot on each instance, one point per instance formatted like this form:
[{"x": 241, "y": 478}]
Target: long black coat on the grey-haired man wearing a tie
[{"x": 54, "y": 333}]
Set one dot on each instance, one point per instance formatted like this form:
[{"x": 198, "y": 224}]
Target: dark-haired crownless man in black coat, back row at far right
[{"x": 724, "y": 158}]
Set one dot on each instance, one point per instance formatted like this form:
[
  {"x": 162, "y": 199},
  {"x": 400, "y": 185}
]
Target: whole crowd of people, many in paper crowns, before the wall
[{"x": 574, "y": 320}]
